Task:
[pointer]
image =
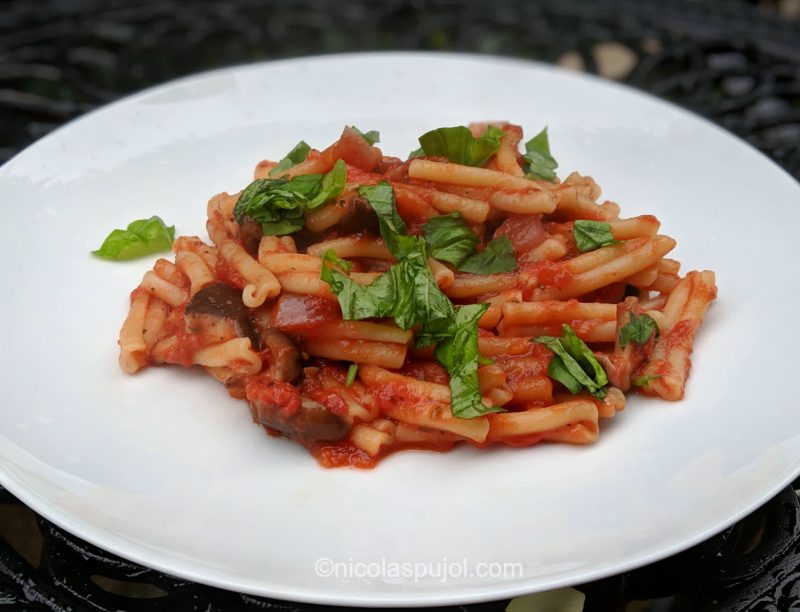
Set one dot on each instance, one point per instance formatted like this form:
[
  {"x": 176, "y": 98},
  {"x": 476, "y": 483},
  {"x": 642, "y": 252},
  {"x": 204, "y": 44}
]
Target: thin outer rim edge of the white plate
[{"x": 123, "y": 547}]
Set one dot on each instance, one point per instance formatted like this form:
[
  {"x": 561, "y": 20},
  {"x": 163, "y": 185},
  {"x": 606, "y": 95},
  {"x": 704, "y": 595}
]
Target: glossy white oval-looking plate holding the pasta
[{"x": 164, "y": 468}]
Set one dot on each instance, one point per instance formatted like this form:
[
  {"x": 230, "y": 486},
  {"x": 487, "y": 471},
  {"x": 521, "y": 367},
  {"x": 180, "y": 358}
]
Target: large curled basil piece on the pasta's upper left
[{"x": 279, "y": 204}]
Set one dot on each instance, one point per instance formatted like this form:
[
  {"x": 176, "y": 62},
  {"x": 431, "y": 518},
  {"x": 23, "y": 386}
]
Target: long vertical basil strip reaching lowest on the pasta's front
[{"x": 459, "y": 355}]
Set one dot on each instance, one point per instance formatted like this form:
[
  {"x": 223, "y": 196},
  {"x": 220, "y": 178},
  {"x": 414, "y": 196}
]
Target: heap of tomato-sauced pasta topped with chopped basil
[{"x": 363, "y": 304}]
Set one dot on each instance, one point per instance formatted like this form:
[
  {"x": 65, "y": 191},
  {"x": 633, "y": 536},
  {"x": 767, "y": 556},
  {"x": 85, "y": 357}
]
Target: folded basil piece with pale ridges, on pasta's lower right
[{"x": 574, "y": 365}]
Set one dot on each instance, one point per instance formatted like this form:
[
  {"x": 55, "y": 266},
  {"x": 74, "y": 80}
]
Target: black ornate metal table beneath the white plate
[{"x": 735, "y": 62}]
